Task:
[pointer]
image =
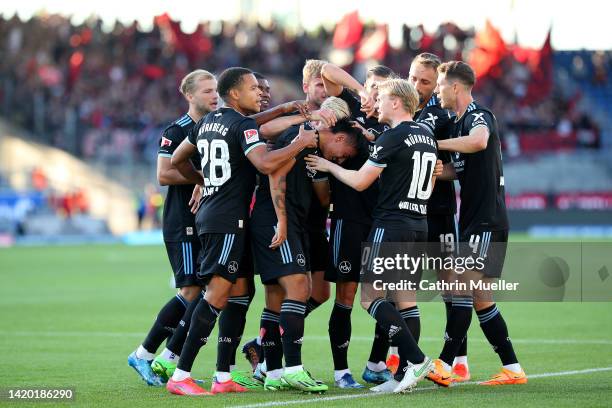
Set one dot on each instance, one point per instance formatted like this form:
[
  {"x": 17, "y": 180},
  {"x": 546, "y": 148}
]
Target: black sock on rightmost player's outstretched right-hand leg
[{"x": 495, "y": 330}]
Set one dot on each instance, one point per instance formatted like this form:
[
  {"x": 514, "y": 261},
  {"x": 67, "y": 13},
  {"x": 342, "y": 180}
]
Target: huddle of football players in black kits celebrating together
[{"x": 250, "y": 190}]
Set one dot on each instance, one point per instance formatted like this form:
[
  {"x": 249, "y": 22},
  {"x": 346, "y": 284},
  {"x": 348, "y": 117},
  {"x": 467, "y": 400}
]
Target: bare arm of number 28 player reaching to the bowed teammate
[{"x": 268, "y": 161}]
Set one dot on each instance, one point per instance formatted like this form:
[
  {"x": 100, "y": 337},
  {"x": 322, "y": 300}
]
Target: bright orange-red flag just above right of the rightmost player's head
[{"x": 490, "y": 50}]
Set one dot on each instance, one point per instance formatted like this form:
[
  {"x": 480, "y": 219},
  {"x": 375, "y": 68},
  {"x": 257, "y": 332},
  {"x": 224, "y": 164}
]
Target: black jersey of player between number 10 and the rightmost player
[{"x": 440, "y": 122}]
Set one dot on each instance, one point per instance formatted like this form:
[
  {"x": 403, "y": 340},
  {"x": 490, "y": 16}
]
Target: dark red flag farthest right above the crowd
[{"x": 540, "y": 64}]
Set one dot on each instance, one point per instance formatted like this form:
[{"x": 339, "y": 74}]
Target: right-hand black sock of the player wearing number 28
[{"x": 231, "y": 326}]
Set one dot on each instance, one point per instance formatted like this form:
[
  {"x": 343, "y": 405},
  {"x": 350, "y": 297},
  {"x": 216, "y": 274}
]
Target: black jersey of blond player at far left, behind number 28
[{"x": 178, "y": 221}]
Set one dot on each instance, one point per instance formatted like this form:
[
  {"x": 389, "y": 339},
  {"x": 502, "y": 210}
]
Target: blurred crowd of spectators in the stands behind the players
[{"x": 107, "y": 94}]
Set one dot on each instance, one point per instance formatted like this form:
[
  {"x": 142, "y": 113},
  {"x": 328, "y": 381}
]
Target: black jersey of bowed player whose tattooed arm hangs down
[{"x": 299, "y": 192}]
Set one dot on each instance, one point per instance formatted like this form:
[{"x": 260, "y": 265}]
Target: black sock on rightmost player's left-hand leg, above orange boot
[{"x": 457, "y": 325}]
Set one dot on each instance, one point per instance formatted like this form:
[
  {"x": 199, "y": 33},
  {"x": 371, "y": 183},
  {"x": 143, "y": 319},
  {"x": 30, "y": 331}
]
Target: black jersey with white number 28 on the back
[{"x": 224, "y": 138}]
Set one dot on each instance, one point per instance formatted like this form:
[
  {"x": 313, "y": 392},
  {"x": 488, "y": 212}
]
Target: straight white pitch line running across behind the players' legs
[{"x": 306, "y": 339}]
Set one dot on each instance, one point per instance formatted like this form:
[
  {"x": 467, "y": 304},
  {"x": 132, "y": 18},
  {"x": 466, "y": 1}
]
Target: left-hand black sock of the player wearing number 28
[{"x": 202, "y": 322}]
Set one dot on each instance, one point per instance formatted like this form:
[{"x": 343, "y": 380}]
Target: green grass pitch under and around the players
[{"x": 69, "y": 316}]
